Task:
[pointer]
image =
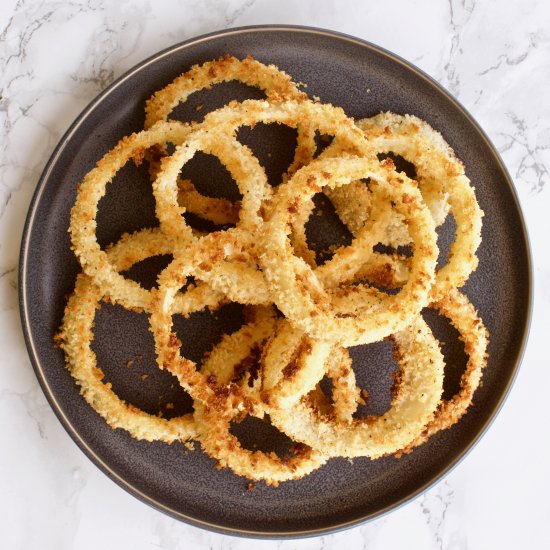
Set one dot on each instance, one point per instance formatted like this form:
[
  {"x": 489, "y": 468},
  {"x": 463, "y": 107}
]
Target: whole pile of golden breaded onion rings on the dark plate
[{"x": 301, "y": 317}]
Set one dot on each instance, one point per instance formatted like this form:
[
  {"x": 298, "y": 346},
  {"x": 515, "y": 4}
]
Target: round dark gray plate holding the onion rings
[{"x": 363, "y": 80}]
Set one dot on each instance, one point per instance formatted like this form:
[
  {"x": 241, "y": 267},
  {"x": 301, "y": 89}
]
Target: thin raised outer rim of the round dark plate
[{"x": 34, "y": 356}]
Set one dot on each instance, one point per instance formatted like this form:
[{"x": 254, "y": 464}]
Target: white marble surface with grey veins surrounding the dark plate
[{"x": 56, "y": 56}]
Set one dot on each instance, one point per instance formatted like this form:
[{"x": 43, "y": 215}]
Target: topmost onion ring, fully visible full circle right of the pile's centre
[{"x": 298, "y": 292}]
